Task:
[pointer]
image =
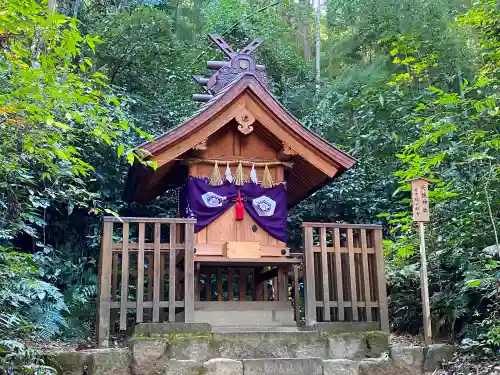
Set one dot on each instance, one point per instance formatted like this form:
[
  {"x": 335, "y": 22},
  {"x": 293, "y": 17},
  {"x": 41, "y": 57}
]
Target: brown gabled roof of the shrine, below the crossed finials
[{"x": 328, "y": 161}]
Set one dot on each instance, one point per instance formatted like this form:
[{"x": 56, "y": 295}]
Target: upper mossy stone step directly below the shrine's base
[{"x": 277, "y": 343}]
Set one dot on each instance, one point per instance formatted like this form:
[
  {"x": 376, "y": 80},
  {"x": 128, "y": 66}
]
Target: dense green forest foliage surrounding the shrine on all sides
[{"x": 409, "y": 88}]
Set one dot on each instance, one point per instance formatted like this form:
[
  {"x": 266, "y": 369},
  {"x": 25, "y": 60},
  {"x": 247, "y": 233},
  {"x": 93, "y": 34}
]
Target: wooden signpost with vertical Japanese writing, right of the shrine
[{"x": 420, "y": 198}]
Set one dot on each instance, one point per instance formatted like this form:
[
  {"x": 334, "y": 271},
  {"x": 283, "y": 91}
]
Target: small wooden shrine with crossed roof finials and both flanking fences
[{"x": 237, "y": 165}]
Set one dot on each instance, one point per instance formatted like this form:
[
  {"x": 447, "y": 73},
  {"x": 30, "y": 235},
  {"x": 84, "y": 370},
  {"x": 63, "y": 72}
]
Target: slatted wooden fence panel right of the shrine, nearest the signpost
[{"x": 344, "y": 274}]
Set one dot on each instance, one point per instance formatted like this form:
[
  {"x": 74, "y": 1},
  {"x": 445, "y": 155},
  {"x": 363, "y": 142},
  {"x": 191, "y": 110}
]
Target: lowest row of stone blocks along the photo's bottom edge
[{"x": 400, "y": 361}]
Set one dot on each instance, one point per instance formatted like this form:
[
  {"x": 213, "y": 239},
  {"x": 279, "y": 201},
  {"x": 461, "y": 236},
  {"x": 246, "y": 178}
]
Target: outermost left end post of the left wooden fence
[{"x": 104, "y": 293}]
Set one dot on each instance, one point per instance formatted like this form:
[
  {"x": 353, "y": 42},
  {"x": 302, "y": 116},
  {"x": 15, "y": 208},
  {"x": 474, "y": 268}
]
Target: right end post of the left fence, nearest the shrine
[{"x": 189, "y": 274}]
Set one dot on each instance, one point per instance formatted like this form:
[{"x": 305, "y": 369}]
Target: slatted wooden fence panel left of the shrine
[{"x": 133, "y": 270}]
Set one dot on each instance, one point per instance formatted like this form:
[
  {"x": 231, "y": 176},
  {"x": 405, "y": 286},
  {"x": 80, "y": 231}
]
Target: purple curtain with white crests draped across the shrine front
[{"x": 205, "y": 203}]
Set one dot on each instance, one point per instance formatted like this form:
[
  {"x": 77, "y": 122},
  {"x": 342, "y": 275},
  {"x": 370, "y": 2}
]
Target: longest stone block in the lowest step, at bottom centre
[{"x": 283, "y": 366}]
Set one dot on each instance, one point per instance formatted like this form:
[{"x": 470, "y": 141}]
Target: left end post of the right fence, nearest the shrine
[{"x": 309, "y": 287}]
